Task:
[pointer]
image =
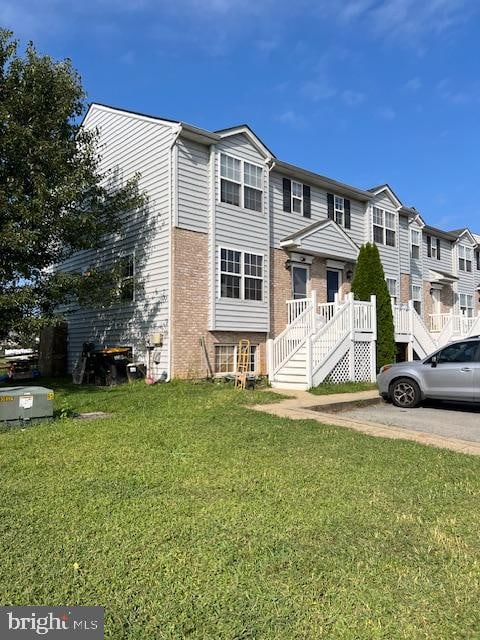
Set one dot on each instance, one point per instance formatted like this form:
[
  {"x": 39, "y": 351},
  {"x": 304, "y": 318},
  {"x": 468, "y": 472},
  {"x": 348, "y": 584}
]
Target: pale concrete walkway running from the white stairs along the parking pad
[{"x": 298, "y": 406}]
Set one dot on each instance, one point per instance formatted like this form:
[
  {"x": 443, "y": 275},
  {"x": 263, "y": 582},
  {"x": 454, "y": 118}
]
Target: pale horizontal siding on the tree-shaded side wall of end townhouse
[{"x": 130, "y": 145}]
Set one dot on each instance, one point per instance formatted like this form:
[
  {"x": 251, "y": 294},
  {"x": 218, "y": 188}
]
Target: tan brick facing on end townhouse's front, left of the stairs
[{"x": 190, "y": 308}]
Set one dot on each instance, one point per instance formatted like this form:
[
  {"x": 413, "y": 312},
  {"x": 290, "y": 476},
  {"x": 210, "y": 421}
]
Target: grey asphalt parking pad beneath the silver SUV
[{"x": 447, "y": 420}]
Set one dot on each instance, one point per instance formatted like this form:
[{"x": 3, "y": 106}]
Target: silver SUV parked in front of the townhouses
[{"x": 451, "y": 373}]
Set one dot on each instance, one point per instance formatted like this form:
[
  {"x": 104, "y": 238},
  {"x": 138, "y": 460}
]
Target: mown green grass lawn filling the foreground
[{"x": 187, "y": 515}]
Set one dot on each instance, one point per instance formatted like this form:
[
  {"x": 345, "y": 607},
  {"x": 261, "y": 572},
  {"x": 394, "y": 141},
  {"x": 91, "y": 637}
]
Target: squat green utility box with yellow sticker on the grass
[{"x": 23, "y": 404}]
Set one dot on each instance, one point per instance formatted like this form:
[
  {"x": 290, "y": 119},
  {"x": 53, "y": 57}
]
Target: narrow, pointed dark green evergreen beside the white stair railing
[{"x": 369, "y": 279}]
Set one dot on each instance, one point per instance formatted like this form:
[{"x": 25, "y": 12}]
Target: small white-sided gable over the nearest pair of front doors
[{"x": 324, "y": 238}]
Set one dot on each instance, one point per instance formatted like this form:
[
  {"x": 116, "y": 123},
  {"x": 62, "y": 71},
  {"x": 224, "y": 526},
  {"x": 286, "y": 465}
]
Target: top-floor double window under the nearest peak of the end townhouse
[{"x": 241, "y": 183}]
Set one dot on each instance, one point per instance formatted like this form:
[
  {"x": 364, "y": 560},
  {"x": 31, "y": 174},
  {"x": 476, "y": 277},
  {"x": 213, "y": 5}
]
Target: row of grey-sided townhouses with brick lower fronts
[{"x": 231, "y": 233}]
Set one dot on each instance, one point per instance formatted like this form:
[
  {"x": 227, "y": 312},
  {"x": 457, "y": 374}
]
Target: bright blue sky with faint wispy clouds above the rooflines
[{"x": 364, "y": 91}]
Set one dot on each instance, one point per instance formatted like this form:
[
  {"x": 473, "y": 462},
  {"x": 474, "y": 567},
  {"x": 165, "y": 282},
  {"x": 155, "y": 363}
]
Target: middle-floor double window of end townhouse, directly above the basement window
[{"x": 241, "y": 275}]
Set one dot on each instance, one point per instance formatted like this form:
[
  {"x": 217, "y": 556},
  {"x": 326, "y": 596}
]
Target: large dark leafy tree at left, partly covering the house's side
[{"x": 54, "y": 199}]
